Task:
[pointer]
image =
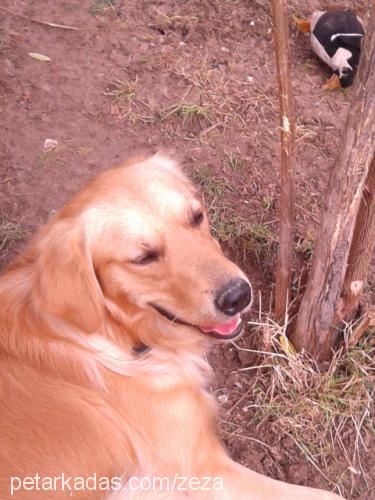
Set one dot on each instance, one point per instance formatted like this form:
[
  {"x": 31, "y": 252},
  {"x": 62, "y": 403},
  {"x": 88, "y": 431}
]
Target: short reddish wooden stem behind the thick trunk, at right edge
[{"x": 362, "y": 249}]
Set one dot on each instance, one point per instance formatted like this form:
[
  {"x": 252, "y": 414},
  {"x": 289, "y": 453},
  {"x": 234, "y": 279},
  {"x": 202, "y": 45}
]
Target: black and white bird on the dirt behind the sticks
[{"x": 336, "y": 39}]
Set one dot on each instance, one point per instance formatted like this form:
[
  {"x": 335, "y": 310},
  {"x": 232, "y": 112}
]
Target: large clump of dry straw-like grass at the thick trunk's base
[{"x": 327, "y": 415}]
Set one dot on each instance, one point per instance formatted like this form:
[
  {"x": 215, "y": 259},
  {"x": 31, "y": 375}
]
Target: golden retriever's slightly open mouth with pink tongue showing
[{"x": 223, "y": 331}]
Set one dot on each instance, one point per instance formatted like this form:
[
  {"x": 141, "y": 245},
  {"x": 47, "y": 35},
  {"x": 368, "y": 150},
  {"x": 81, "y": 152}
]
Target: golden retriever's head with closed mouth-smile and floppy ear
[{"x": 138, "y": 236}]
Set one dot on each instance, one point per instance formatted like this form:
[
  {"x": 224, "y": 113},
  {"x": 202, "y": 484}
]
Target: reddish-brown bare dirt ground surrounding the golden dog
[{"x": 195, "y": 79}]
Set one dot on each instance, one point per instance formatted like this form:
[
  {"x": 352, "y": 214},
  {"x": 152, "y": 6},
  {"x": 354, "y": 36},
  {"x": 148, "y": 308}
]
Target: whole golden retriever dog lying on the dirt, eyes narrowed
[{"x": 104, "y": 325}]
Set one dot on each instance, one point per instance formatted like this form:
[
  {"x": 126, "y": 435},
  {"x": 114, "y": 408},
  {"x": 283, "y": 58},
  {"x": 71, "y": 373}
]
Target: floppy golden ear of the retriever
[{"x": 66, "y": 285}]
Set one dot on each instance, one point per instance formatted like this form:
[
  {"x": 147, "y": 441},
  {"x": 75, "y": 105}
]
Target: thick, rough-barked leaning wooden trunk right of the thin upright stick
[{"x": 316, "y": 327}]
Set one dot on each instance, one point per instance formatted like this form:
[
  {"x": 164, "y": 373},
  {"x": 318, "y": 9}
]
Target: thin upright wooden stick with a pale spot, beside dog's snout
[{"x": 284, "y": 266}]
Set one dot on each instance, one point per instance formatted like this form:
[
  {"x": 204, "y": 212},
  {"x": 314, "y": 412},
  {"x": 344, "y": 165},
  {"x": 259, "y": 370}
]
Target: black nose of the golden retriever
[{"x": 234, "y": 297}]
